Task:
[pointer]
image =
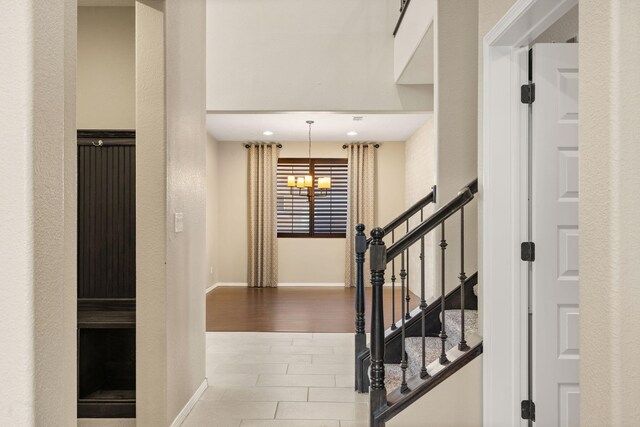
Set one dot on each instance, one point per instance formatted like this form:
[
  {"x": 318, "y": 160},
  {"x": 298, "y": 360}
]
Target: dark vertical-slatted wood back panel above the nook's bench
[{"x": 106, "y": 220}]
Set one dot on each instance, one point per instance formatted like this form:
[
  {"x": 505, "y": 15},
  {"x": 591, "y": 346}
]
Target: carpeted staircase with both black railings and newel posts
[{"x": 422, "y": 348}]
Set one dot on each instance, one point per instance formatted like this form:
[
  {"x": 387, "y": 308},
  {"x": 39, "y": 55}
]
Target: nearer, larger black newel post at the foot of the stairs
[{"x": 377, "y": 391}]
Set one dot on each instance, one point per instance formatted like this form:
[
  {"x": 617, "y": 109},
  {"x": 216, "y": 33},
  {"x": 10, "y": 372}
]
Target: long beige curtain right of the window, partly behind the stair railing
[{"x": 362, "y": 163}]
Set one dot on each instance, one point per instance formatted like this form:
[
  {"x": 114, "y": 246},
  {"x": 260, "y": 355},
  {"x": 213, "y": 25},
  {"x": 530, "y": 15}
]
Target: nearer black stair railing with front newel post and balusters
[{"x": 381, "y": 256}]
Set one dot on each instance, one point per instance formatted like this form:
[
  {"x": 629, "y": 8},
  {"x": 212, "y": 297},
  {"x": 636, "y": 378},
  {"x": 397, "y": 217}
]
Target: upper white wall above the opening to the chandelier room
[{"x": 302, "y": 55}]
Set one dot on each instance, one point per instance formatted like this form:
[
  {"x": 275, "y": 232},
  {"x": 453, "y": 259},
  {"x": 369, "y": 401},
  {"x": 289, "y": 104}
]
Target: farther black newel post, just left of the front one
[{"x": 361, "y": 338}]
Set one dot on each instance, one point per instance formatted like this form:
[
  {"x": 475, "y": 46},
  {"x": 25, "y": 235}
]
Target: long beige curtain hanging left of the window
[{"x": 262, "y": 271}]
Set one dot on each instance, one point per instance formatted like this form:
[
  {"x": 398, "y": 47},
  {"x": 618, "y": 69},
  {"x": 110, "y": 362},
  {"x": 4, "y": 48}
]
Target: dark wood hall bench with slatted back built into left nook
[{"x": 106, "y": 274}]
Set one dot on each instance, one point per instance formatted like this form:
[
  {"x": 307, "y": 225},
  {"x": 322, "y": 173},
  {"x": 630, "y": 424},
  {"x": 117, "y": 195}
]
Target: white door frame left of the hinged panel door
[{"x": 504, "y": 206}]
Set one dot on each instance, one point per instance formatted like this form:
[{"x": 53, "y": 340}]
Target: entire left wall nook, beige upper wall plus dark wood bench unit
[{"x": 106, "y": 227}]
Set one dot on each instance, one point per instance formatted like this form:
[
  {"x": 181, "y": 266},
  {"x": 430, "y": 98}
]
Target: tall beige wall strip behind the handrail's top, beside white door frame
[{"x": 456, "y": 115}]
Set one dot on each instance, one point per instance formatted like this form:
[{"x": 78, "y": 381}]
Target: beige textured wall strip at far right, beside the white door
[{"x": 609, "y": 212}]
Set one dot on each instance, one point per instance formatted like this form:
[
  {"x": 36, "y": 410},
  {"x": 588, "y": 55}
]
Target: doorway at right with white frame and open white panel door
[{"x": 536, "y": 186}]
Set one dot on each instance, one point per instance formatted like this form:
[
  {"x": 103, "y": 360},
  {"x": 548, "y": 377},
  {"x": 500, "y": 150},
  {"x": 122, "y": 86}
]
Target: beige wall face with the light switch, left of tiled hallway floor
[{"x": 186, "y": 193}]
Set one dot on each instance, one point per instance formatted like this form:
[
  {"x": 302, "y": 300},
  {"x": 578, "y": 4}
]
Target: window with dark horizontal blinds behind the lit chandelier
[{"x": 319, "y": 216}]
